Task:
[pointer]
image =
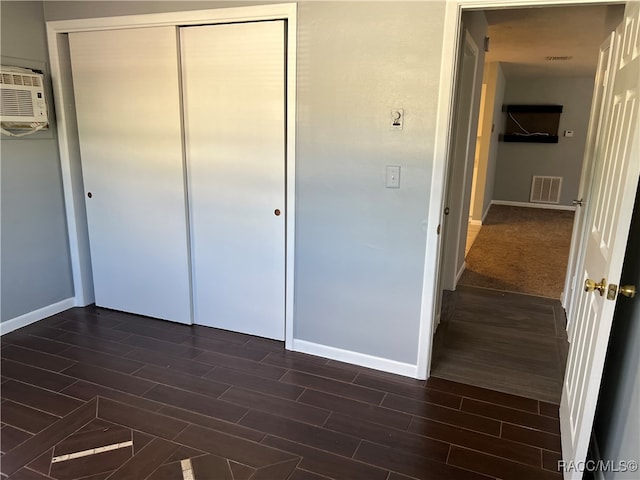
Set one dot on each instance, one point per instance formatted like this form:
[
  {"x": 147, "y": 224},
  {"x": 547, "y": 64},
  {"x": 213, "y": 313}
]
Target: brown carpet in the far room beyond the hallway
[{"x": 523, "y": 250}]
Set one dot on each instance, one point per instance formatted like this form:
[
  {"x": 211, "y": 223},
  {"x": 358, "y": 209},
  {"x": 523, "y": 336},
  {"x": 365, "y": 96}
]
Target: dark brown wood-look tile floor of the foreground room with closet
[{"x": 244, "y": 408}]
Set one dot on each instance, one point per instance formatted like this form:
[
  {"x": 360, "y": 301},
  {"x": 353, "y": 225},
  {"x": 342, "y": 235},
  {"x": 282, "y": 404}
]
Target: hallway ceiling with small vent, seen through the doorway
[{"x": 521, "y": 39}]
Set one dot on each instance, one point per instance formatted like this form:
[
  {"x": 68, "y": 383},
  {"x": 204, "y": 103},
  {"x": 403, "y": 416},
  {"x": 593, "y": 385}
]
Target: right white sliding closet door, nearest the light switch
[{"x": 234, "y": 106}]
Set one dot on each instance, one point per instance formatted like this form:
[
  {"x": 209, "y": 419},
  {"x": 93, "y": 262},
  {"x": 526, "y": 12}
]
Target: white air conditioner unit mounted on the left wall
[{"x": 23, "y": 106}]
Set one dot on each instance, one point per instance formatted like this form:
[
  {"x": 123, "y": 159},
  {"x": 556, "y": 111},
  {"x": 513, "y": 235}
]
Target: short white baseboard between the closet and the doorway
[{"x": 369, "y": 361}]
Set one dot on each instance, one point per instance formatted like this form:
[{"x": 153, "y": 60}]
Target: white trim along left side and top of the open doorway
[{"x": 448, "y": 72}]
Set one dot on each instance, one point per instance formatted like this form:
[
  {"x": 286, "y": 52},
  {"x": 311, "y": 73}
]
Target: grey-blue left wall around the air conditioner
[{"x": 35, "y": 260}]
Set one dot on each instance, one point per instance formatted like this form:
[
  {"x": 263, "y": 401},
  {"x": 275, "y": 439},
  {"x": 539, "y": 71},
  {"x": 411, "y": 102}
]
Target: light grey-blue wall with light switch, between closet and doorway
[{"x": 359, "y": 246}]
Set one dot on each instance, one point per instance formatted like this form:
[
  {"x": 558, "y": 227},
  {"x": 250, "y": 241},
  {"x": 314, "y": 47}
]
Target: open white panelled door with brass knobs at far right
[{"x": 617, "y": 167}]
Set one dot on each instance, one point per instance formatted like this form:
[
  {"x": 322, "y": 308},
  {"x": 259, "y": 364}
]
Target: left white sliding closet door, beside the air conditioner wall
[{"x": 127, "y": 95}]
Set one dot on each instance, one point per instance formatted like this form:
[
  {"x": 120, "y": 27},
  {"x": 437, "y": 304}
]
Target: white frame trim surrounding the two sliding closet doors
[{"x": 57, "y": 33}]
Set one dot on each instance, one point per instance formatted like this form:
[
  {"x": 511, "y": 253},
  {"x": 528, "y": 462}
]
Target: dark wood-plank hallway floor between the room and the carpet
[{"x": 502, "y": 341}]
